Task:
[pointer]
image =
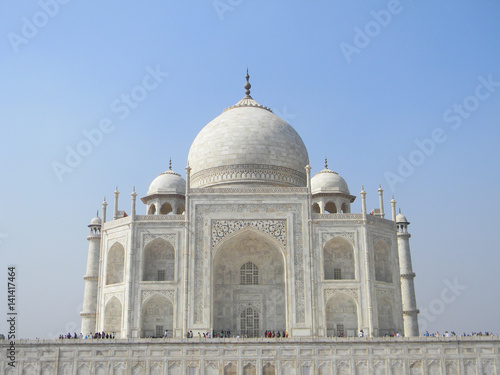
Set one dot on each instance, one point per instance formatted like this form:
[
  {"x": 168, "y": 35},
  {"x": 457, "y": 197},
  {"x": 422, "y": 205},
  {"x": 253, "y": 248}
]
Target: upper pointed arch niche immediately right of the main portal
[{"x": 338, "y": 260}]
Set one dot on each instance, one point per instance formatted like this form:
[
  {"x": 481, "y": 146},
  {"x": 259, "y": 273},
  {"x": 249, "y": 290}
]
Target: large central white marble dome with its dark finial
[{"x": 248, "y": 144}]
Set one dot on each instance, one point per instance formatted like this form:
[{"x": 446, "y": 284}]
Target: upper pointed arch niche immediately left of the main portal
[{"x": 158, "y": 261}]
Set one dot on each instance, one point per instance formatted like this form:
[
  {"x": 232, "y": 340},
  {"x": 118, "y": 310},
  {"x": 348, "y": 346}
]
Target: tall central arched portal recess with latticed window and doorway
[{"x": 249, "y": 285}]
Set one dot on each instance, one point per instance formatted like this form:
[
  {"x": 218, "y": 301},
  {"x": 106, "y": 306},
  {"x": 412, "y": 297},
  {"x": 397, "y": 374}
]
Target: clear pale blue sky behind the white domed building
[{"x": 363, "y": 83}]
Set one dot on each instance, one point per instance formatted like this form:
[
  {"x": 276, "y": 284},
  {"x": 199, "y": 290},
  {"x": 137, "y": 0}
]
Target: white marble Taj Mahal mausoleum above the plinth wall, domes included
[{"x": 249, "y": 243}]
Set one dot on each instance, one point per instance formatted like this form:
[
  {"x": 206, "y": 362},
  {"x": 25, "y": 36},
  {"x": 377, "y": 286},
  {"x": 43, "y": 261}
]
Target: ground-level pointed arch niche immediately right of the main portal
[{"x": 341, "y": 315}]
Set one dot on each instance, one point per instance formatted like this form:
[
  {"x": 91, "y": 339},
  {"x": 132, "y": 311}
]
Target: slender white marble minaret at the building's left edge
[{"x": 91, "y": 277}]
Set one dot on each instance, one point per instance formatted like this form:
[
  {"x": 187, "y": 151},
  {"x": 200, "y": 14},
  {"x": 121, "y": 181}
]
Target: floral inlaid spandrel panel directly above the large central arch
[{"x": 222, "y": 228}]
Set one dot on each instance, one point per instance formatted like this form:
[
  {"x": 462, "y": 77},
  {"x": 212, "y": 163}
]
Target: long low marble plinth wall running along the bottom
[{"x": 432, "y": 356}]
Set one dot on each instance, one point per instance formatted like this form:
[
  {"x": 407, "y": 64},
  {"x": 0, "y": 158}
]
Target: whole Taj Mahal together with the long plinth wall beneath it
[{"x": 248, "y": 243}]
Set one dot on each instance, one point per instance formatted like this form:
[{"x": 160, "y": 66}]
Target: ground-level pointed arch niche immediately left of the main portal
[{"x": 157, "y": 315}]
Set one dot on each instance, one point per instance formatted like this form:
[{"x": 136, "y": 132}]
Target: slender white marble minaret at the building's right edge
[{"x": 409, "y": 301}]
